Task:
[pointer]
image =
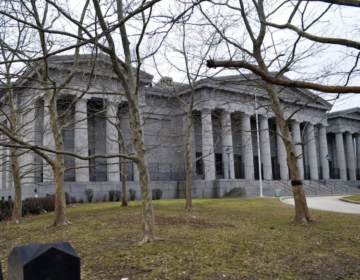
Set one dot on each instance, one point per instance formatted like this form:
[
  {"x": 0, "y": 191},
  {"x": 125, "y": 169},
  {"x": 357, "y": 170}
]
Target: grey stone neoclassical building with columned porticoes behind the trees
[{"x": 233, "y": 129}]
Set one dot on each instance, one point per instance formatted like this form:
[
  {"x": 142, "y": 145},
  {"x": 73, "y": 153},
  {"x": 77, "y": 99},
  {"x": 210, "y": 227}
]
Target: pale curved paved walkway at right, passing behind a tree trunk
[{"x": 327, "y": 203}]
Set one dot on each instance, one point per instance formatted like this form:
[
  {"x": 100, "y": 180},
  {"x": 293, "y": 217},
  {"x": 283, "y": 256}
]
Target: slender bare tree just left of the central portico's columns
[{"x": 187, "y": 44}]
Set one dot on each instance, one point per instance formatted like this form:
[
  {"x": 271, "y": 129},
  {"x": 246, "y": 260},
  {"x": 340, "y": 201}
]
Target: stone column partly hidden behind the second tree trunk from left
[{"x": 49, "y": 142}]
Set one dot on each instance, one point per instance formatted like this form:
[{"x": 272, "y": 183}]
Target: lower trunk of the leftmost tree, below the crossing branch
[{"x": 17, "y": 209}]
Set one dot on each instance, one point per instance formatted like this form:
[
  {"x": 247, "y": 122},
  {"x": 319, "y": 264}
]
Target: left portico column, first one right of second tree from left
[{"x": 81, "y": 141}]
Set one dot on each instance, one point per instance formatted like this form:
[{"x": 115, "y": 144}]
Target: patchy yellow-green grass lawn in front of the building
[{"x": 220, "y": 239}]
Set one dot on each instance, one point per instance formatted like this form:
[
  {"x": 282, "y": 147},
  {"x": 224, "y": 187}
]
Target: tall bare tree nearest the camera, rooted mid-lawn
[{"x": 129, "y": 79}]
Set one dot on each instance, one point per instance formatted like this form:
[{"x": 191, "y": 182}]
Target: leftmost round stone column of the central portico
[{"x": 207, "y": 144}]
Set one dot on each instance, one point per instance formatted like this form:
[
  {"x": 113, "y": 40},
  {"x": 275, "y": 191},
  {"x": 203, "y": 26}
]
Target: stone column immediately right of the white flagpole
[{"x": 265, "y": 148}]
